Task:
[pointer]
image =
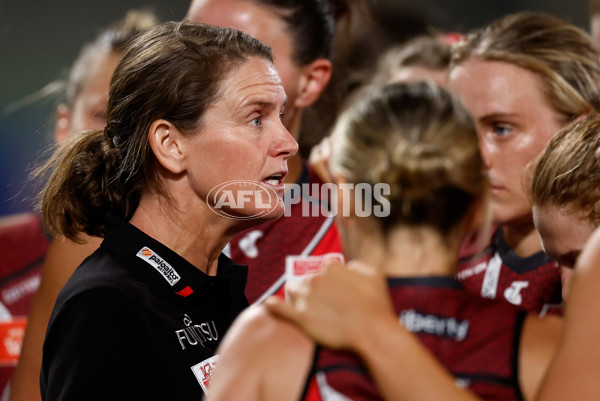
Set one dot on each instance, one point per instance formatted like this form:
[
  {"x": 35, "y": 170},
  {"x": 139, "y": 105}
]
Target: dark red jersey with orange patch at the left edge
[{"x": 23, "y": 245}]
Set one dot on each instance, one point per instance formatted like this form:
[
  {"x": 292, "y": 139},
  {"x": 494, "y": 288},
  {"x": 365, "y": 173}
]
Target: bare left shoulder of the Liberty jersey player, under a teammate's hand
[{"x": 261, "y": 358}]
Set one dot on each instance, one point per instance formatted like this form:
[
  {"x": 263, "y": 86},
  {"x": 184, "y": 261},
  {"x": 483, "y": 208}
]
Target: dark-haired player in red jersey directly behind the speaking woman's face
[{"x": 301, "y": 34}]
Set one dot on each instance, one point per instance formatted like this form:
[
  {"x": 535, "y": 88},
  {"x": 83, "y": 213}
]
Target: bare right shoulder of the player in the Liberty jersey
[{"x": 539, "y": 341}]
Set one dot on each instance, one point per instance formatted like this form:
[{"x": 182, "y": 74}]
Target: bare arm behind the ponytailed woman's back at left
[{"x": 62, "y": 259}]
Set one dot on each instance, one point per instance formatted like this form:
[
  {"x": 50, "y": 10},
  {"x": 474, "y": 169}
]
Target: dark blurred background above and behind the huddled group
[{"x": 40, "y": 39}]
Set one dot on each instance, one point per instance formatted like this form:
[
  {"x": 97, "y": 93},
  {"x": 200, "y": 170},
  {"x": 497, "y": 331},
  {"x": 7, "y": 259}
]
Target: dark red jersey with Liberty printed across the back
[{"x": 476, "y": 340}]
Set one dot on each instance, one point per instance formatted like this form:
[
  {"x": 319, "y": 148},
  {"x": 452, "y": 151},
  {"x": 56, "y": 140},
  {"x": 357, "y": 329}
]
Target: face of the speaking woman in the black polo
[{"x": 242, "y": 136}]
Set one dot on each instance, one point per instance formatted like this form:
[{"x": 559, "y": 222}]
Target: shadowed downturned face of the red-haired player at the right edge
[{"x": 563, "y": 232}]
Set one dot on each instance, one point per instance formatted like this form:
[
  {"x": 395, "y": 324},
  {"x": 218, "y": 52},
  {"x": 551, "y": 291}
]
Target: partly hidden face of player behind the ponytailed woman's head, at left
[{"x": 89, "y": 108}]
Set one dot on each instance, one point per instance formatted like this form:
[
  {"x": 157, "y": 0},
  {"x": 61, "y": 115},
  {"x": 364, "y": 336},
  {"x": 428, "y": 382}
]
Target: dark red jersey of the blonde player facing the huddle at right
[{"x": 532, "y": 283}]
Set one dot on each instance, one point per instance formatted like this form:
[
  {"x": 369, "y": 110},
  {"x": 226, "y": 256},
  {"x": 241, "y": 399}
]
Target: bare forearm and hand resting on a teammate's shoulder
[{"x": 328, "y": 309}]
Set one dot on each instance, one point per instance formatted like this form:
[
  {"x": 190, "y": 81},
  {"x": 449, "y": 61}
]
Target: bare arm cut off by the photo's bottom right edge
[{"x": 574, "y": 371}]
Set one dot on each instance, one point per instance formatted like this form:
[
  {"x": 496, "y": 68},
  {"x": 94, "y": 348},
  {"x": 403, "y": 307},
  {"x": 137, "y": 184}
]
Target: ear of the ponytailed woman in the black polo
[{"x": 165, "y": 142}]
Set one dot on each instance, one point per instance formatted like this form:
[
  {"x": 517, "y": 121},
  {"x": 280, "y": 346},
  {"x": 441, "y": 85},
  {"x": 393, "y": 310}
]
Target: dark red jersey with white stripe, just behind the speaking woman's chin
[{"x": 302, "y": 231}]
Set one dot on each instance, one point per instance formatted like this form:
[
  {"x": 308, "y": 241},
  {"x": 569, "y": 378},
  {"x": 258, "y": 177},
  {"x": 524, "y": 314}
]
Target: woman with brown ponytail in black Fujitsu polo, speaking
[{"x": 142, "y": 316}]
